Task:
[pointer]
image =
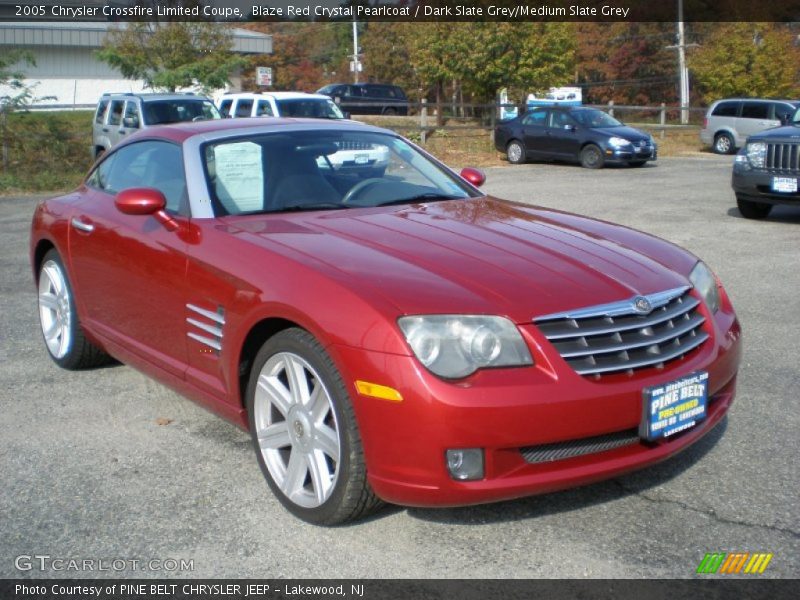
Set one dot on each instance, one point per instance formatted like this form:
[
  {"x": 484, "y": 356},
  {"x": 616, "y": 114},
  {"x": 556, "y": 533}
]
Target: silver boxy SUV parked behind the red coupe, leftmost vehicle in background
[{"x": 119, "y": 115}]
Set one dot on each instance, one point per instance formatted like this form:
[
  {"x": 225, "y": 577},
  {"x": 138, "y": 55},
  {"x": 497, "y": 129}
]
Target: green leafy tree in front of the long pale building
[{"x": 173, "y": 55}]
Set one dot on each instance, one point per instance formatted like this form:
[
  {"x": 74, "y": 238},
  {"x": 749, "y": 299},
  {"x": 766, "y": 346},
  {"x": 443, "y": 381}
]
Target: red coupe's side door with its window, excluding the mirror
[{"x": 129, "y": 270}]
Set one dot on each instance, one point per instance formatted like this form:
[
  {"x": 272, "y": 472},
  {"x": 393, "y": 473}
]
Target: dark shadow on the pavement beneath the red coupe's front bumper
[{"x": 576, "y": 498}]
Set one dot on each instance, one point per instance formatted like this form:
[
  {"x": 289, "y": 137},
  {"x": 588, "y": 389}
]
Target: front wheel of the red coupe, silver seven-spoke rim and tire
[{"x": 304, "y": 431}]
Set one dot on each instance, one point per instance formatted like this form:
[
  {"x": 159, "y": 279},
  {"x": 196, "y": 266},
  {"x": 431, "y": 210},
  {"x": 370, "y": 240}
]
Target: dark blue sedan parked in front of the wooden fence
[{"x": 575, "y": 134}]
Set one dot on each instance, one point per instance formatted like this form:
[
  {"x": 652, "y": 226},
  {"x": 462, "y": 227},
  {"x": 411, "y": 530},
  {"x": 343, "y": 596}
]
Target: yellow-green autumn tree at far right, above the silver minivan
[{"x": 747, "y": 59}]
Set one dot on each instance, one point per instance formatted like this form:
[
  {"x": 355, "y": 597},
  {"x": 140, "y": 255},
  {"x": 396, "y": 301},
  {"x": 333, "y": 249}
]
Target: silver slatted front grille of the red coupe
[{"x": 613, "y": 337}]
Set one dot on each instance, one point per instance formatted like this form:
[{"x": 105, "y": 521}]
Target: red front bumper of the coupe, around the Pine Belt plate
[{"x": 506, "y": 410}]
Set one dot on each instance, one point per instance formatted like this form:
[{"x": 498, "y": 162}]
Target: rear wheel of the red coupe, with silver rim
[{"x": 61, "y": 328}]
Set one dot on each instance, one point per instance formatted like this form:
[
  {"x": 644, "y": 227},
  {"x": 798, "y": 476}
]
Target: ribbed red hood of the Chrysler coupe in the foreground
[{"x": 478, "y": 256}]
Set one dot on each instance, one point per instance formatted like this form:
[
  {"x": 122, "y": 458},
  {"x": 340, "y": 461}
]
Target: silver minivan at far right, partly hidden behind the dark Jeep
[{"x": 729, "y": 122}]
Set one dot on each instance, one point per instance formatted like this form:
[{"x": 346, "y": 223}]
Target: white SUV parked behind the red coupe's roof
[{"x": 279, "y": 104}]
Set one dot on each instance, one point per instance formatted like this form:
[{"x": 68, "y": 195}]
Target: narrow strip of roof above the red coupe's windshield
[{"x": 180, "y": 132}]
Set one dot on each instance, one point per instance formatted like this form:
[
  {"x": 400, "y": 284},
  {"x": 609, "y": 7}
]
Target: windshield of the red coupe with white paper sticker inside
[{"x": 322, "y": 170}]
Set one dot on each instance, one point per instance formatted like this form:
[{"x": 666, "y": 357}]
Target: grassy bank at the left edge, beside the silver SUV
[{"x": 47, "y": 151}]
